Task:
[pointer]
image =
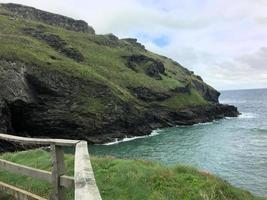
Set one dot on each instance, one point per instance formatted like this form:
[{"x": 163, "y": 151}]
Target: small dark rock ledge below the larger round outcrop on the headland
[{"x": 149, "y": 95}]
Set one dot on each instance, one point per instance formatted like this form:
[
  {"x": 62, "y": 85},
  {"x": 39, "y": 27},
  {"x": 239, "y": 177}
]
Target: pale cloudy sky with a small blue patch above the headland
[{"x": 224, "y": 41}]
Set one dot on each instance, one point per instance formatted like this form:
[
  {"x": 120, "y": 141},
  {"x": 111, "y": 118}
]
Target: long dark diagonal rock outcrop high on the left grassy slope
[{"x": 56, "y": 42}]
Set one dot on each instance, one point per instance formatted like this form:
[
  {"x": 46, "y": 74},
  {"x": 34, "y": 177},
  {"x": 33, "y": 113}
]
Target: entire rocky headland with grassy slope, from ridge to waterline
[{"x": 59, "y": 79}]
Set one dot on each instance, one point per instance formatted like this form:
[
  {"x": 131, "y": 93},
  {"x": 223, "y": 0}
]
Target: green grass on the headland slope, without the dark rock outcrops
[{"x": 103, "y": 61}]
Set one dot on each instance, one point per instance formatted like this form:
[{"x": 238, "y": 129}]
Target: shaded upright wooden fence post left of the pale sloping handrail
[{"x": 58, "y": 169}]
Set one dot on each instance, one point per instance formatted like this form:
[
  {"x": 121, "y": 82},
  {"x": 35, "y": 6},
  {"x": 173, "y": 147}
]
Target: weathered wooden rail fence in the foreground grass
[{"x": 83, "y": 180}]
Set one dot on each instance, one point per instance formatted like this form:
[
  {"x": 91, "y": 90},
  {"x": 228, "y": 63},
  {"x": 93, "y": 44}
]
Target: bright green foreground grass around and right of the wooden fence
[{"x": 131, "y": 179}]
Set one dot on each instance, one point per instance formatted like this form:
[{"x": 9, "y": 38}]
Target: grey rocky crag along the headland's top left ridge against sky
[{"x": 48, "y": 18}]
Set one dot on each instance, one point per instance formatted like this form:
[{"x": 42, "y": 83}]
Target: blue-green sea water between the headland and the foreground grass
[{"x": 232, "y": 148}]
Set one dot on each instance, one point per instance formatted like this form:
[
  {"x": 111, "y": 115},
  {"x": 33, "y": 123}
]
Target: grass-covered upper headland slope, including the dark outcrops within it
[{"x": 121, "y": 64}]
